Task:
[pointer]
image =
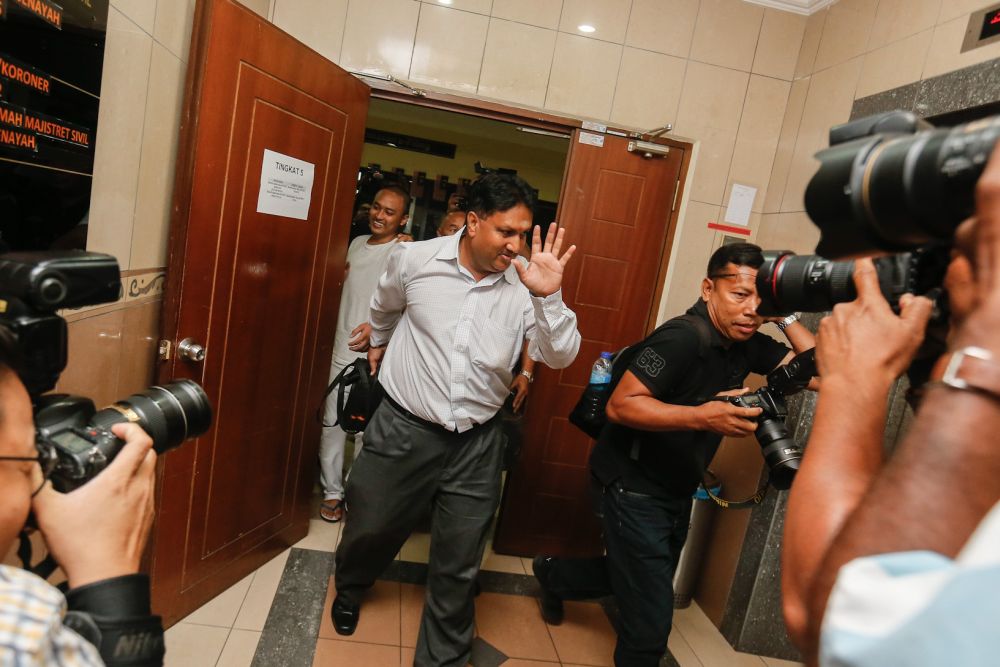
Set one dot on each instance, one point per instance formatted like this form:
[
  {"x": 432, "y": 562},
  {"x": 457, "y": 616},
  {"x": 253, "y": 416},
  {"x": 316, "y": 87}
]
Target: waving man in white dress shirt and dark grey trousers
[{"x": 457, "y": 309}]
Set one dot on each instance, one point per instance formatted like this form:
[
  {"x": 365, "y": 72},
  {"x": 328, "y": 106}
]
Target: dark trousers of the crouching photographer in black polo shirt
[{"x": 643, "y": 536}]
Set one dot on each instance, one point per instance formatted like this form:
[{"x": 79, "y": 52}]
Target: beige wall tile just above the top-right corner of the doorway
[{"x": 712, "y": 96}]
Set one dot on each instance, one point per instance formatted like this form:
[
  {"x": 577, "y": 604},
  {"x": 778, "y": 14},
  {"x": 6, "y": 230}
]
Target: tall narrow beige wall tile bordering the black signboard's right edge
[{"x": 119, "y": 138}]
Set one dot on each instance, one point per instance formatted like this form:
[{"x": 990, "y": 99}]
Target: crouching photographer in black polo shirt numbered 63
[{"x": 663, "y": 432}]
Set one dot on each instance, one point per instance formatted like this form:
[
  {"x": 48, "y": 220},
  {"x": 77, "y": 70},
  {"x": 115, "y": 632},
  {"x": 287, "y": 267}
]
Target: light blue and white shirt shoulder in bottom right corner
[{"x": 918, "y": 608}]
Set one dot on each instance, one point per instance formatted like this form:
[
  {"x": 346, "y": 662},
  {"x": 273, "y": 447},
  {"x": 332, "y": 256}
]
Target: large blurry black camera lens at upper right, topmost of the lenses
[{"x": 893, "y": 192}]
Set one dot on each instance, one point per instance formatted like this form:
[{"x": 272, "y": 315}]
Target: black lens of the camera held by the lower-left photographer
[{"x": 170, "y": 414}]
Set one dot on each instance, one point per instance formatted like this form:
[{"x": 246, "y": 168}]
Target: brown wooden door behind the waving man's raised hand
[{"x": 616, "y": 207}]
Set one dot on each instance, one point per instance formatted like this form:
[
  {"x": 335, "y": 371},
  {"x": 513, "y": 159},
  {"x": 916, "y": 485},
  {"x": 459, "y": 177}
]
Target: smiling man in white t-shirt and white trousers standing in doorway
[{"x": 366, "y": 260}]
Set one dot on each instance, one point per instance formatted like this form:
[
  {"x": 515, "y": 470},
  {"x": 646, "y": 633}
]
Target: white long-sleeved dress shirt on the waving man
[{"x": 455, "y": 340}]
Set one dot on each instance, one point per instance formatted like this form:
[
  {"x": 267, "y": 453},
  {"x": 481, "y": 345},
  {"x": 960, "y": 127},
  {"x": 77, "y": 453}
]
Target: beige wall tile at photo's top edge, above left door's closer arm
[{"x": 374, "y": 44}]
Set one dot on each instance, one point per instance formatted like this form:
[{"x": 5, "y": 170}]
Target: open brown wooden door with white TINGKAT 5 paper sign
[{"x": 260, "y": 291}]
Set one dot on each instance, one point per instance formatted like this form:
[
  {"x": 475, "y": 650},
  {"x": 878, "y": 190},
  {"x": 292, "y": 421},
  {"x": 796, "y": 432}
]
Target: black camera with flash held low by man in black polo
[{"x": 779, "y": 449}]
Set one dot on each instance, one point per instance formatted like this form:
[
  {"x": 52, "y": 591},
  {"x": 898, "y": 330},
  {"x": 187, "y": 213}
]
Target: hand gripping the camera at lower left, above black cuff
[{"x": 99, "y": 530}]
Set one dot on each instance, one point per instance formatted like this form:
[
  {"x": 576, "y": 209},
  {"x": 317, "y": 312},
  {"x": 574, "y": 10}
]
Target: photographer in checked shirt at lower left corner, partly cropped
[{"x": 96, "y": 533}]
